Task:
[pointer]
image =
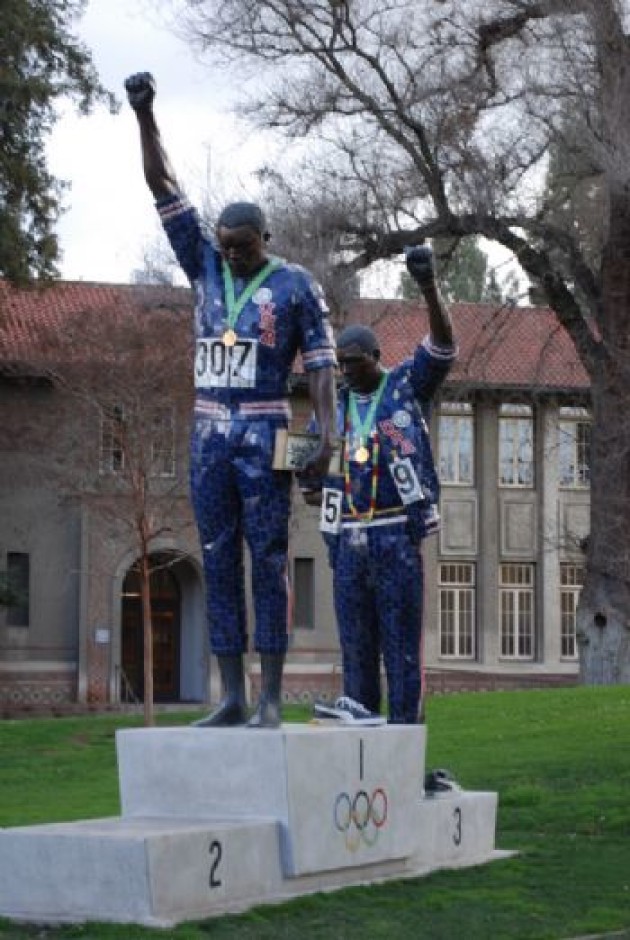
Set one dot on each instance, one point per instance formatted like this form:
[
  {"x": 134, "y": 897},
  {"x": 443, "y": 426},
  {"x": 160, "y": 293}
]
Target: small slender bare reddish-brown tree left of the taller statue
[{"x": 116, "y": 434}]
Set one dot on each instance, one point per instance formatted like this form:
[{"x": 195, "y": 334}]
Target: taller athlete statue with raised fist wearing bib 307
[{"x": 253, "y": 313}]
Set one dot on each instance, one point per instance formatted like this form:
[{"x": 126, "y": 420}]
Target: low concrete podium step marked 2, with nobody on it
[{"x": 141, "y": 870}]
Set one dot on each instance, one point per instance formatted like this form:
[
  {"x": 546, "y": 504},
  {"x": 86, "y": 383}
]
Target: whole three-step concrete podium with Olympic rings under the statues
[{"x": 220, "y": 820}]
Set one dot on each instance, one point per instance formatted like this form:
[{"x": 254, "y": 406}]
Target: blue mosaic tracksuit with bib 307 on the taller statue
[{"x": 241, "y": 399}]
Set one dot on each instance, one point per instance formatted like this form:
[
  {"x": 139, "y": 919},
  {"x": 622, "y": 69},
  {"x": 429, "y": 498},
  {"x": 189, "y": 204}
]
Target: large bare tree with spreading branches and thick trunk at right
[{"x": 438, "y": 119}]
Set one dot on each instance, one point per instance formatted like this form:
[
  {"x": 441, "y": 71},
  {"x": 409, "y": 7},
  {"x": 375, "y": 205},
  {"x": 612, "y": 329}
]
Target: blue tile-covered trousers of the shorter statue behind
[{"x": 378, "y": 587}]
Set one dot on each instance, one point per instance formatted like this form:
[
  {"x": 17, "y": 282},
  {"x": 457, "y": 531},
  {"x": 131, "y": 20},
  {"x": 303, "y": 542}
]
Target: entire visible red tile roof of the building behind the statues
[{"x": 508, "y": 347}]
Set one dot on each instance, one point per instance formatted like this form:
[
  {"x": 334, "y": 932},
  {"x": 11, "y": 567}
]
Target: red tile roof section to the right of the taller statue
[{"x": 508, "y": 347}]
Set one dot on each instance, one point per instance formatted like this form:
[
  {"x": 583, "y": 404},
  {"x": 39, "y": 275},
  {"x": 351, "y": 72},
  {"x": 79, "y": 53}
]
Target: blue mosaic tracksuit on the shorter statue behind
[{"x": 377, "y": 564}]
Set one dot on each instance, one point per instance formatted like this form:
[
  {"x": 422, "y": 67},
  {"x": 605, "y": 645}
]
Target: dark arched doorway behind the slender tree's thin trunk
[{"x": 166, "y": 621}]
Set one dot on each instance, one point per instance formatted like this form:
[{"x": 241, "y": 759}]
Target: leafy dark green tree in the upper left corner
[{"x": 41, "y": 62}]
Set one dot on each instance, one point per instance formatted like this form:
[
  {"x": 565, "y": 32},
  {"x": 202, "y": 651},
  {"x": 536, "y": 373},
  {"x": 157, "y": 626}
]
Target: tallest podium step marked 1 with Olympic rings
[{"x": 341, "y": 795}]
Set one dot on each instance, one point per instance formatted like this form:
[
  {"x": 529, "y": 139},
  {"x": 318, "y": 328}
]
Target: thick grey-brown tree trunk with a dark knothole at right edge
[{"x": 604, "y": 609}]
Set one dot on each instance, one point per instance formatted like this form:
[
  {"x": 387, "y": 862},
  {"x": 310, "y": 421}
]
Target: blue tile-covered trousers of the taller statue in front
[{"x": 235, "y": 496}]
